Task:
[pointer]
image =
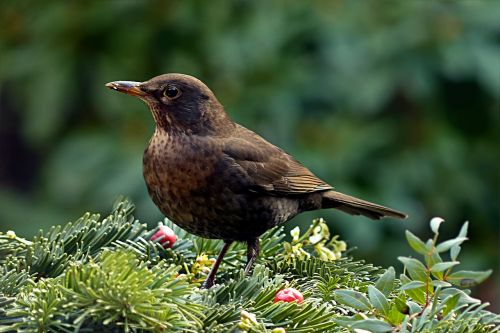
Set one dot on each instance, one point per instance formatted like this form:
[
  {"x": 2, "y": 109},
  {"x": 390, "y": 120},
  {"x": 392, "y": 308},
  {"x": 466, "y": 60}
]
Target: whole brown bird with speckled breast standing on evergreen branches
[{"x": 217, "y": 179}]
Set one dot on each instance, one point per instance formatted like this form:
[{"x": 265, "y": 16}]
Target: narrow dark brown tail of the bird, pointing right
[{"x": 355, "y": 206}]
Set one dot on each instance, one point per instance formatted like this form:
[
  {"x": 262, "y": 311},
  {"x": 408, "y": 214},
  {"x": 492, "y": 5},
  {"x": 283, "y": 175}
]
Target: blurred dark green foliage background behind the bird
[{"x": 394, "y": 101}]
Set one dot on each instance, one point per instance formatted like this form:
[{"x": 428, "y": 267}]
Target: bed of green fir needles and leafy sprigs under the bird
[{"x": 108, "y": 276}]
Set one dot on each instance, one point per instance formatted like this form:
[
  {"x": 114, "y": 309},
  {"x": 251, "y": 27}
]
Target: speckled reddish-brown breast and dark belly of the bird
[{"x": 195, "y": 188}]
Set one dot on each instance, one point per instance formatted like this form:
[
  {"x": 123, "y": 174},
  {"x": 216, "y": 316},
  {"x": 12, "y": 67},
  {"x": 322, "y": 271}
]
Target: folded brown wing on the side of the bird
[{"x": 270, "y": 169}]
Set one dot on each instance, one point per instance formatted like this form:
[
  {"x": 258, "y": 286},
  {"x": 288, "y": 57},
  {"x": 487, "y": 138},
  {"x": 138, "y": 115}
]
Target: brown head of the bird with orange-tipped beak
[{"x": 178, "y": 102}]
